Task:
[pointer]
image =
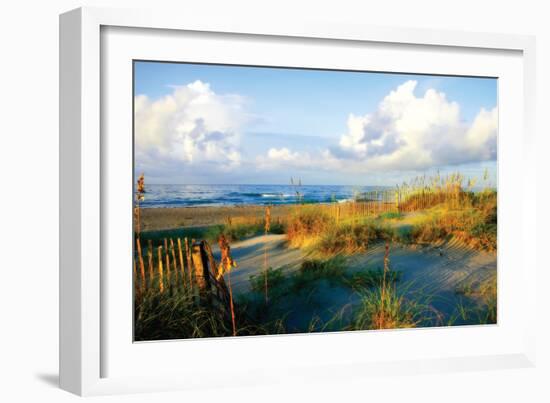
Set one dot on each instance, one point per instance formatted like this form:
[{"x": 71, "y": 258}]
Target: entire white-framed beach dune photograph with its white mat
[{"x": 328, "y": 197}]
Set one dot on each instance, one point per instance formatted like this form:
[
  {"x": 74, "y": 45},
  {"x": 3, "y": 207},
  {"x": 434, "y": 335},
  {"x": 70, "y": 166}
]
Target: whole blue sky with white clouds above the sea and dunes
[{"x": 233, "y": 124}]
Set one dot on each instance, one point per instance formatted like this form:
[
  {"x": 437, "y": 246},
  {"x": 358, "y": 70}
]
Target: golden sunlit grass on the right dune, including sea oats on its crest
[{"x": 448, "y": 208}]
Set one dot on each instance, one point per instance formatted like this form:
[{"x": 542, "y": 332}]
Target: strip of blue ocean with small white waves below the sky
[{"x": 224, "y": 195}]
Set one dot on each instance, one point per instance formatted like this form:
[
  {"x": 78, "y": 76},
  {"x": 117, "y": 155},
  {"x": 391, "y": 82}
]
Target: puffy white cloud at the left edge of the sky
[{"x": 192, "y": 125}]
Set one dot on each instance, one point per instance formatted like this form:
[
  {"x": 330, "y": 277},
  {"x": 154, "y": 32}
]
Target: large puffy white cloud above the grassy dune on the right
[{"x": 410, "y": 132}]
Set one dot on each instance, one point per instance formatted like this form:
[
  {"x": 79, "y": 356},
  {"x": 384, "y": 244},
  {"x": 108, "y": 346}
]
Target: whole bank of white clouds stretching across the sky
[{"x": 193, "y": 131}]
